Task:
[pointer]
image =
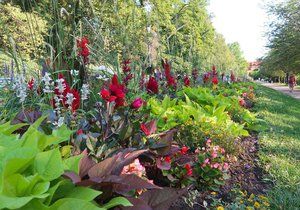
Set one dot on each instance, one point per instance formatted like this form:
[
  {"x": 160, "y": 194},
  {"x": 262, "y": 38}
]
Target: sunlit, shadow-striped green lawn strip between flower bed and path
[{"x": 280, "y": 146}]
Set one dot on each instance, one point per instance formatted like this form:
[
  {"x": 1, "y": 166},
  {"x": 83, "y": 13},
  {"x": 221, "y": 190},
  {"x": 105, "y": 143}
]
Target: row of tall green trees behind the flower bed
[{"x": 143, "y": 31}]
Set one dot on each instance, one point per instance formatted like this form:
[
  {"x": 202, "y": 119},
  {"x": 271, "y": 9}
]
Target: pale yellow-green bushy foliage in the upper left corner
[{"x": 25, "y": 29}]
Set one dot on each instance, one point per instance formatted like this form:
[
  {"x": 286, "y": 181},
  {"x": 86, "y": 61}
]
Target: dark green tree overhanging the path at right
[{"x": 284, "y": 38}]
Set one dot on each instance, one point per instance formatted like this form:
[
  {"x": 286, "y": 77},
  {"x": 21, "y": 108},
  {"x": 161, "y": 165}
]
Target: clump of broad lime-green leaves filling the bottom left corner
[{"x": 31, "y": 172}]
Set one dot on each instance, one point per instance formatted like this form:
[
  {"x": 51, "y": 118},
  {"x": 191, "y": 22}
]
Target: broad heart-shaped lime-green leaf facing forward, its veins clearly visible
[{"x": 49, "y": 164}]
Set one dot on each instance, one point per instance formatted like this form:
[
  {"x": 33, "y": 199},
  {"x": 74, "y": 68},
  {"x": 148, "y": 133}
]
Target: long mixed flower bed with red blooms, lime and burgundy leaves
[{"x": 143, "y": 148}]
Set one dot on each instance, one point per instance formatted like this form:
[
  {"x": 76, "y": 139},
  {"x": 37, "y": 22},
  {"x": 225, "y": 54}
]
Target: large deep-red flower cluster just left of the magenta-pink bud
[{"x": 115, "y": 93}]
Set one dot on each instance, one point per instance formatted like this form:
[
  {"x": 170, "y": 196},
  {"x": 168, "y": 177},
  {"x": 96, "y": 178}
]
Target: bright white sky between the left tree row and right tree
[{"x": 241, "y": 21}]
